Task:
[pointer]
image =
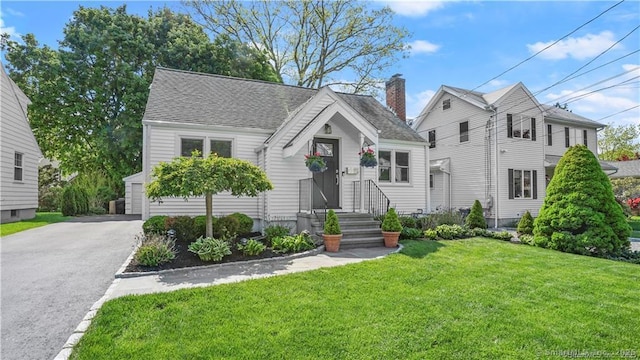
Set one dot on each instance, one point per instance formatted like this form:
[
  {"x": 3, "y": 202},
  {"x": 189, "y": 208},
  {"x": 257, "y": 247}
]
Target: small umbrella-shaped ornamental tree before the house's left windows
[{"x": 197, "y": 176}]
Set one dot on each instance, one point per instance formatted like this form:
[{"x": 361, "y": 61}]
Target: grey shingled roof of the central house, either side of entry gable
[{"x": 185, "y": 97}]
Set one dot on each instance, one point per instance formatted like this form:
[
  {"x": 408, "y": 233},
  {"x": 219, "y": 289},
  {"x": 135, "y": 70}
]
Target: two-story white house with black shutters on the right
[{"x": 508, "y": 176}]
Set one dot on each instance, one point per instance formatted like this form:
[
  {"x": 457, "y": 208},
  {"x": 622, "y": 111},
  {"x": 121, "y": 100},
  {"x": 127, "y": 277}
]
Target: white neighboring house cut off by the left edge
[{"x": 20, "y": 155}]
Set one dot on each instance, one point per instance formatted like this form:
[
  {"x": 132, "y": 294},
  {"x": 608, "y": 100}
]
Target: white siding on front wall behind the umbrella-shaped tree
[{"x": 164, "y": 145}]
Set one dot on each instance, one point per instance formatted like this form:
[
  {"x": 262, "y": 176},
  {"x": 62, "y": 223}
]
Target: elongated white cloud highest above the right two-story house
[{"x": 580, "y": 48}]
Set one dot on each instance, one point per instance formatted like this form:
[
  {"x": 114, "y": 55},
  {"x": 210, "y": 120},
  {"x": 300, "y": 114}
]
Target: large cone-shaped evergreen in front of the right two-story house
[{"x": 580, "y": 214}]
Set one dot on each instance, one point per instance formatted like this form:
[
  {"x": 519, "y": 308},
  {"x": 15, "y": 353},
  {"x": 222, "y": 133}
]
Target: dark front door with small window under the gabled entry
[{"x": 329, "y": 180}]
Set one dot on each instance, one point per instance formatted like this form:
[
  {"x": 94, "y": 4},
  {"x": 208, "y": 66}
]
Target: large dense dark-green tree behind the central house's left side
[{"x": 88, "y": 96}]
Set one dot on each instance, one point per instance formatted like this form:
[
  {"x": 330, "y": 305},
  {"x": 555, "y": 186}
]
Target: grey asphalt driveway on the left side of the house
[{"x": 50, "y": 276}]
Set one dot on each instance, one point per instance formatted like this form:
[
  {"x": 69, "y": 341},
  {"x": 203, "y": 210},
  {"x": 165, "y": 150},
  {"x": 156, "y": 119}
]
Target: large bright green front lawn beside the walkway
[{"x": 467, "y": 299}]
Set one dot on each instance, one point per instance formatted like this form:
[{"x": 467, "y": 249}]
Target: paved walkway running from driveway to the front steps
[{"x": 228, "y": 273}]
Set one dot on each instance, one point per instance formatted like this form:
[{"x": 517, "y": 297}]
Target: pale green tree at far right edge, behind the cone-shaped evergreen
[{"x": 619, "y": 142}]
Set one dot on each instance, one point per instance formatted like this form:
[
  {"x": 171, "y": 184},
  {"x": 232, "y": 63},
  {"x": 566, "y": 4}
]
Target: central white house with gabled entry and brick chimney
[{"x": 274, "y": 126}]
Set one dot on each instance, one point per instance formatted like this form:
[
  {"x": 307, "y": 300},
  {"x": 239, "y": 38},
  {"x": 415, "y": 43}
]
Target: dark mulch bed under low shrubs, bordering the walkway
[{"x": 184, "y": 258}]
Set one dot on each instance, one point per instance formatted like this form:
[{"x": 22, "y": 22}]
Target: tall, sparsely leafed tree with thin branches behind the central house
[{"x": 309, "y": 42}]
